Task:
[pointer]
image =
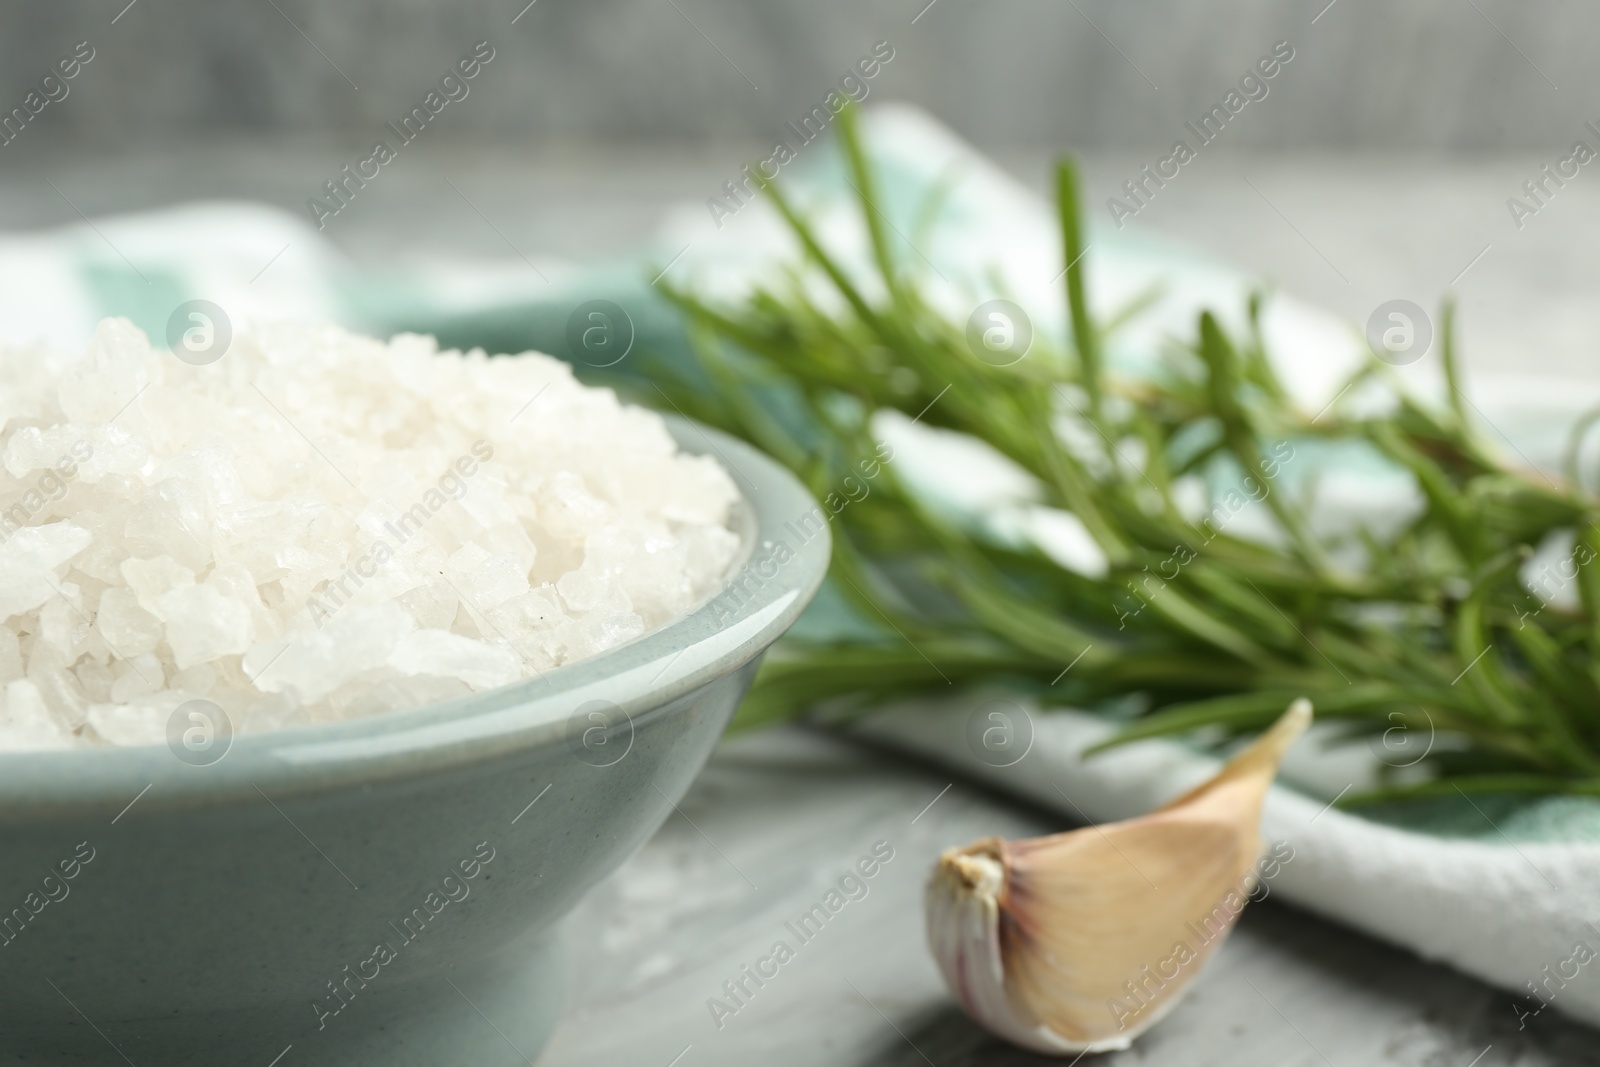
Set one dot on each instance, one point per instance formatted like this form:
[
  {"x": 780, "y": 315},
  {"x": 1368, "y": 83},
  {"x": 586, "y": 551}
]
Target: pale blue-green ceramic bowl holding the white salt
[{"x": 382, "y": 890}]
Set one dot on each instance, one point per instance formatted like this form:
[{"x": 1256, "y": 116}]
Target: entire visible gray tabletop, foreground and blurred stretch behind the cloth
[{"x": 778, "y": 817}]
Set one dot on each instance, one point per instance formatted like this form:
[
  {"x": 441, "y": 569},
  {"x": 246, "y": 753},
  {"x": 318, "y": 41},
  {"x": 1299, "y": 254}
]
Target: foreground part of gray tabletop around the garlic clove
[{"x": 777, "y": 818}]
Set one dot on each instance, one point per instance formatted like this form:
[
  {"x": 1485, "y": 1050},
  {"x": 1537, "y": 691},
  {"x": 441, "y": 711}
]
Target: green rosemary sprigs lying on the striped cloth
[{"x": 1430, "y": 631}]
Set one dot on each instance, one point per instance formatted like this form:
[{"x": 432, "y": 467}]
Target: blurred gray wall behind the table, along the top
[{"x": 1449, "y": 76}]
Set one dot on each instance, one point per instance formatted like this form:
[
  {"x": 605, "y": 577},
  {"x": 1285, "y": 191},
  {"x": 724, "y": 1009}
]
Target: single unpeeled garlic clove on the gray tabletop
[{"x": 1082, "y": 941}]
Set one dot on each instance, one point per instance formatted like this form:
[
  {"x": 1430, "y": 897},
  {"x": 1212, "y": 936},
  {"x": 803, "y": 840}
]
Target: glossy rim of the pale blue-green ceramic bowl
[{"x": 783, "y": 562}]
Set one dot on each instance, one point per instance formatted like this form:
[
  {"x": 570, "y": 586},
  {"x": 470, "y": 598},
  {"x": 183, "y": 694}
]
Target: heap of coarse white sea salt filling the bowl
[{"x": 322, "y": 526}]
